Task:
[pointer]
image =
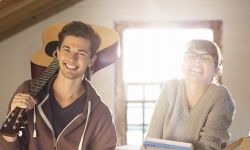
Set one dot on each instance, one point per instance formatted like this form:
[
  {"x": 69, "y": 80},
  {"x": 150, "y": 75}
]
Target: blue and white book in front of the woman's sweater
[{"x": 157, "y": 144}]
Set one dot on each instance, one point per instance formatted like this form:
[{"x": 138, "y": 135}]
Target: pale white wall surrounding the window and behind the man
[{"x": 17, "y": 50}]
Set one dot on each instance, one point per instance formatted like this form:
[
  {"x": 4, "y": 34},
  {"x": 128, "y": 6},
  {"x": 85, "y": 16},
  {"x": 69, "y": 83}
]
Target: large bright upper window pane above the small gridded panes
[{"x": 155, "y": 55}]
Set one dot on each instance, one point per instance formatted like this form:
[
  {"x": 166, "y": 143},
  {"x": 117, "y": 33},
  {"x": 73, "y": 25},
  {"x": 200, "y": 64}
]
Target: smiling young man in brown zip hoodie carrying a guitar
[{"x": 72, "y": 115}]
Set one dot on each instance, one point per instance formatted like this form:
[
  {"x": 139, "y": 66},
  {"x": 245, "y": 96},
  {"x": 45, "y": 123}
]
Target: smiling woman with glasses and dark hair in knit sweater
[{"x": 195, "y": 109}]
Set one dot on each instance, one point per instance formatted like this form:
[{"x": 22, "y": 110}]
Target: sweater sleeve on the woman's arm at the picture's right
[{"x": 215, "y": 131}]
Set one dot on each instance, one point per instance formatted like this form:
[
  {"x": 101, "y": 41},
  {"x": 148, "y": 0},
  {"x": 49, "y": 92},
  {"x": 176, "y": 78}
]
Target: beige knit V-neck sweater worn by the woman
[{"x": 205, "y": 125}]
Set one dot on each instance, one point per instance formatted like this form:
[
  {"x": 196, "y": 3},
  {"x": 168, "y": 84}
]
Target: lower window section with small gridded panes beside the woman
[{"x": 140, "y": 105}]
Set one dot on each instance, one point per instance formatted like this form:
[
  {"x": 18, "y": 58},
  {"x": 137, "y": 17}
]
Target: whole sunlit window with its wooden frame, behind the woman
[{"x": 150, "y": 55}]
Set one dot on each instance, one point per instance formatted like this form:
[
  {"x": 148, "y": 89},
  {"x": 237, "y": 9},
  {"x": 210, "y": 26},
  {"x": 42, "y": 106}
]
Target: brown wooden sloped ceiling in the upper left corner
[{"x": 16, "y": 15}]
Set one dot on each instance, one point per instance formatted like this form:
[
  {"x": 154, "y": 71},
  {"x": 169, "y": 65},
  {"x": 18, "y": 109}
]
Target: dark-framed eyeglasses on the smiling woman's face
[{"x": 205, "y": 58}]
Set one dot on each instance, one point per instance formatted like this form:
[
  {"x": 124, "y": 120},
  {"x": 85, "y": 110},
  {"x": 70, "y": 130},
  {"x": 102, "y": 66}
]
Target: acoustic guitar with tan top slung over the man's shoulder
[{"x": 44, "y": 65}]
